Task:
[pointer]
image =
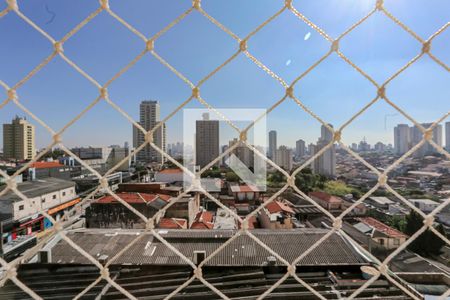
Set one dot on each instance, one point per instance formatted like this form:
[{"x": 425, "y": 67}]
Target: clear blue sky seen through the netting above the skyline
[{"x": 334, "y": 91}]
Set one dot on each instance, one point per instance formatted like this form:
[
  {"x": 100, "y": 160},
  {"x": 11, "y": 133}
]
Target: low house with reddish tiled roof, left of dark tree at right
[{"x": 381, "y": 233}]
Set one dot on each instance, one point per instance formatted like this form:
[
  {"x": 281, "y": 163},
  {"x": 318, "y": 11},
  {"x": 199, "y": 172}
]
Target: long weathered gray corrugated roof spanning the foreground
[{"x": 243, "y": 251}]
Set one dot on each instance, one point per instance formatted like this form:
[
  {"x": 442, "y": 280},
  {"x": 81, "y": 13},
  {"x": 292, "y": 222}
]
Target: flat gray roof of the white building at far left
[{"x": 36, "y": 188}]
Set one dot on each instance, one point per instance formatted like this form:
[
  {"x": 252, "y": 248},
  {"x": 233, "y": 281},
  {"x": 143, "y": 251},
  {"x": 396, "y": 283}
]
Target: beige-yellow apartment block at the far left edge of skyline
[{"x": 18, "y": 140}]
